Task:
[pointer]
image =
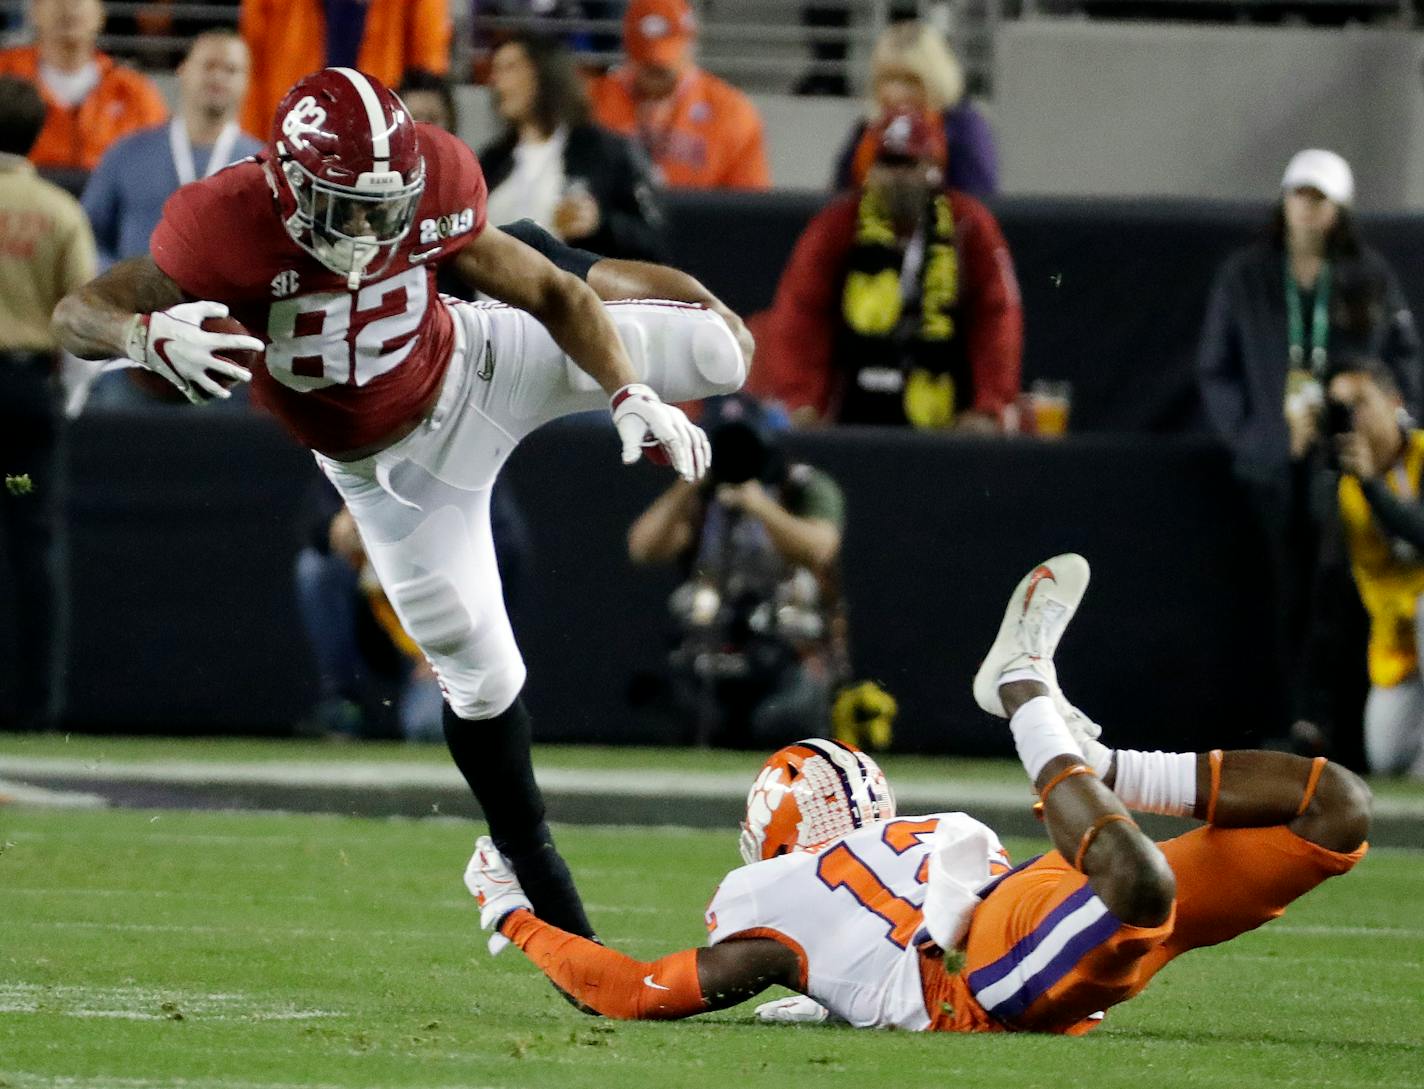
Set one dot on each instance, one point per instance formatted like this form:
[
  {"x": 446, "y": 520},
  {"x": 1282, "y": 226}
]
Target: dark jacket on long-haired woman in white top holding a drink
[{"x": 617, "y": 176}]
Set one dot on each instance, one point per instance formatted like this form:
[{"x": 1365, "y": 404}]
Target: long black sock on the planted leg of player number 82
[{"x": 493, "y": 755}]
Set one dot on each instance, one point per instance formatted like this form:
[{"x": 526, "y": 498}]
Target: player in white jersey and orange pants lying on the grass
[{"x": 904, "y": 922}]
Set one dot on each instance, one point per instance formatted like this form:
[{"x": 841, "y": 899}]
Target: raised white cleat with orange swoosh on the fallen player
[{"x": 1037, "y": 616}]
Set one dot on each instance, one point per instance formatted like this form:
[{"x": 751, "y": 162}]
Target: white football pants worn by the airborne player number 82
[{"x": 424, "y": 505}]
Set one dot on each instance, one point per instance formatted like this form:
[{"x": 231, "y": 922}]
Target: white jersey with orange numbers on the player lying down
[{"x": 855, "y": 912}]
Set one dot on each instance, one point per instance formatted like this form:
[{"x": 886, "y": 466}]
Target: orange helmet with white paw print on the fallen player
[{"x": 811, "y": 794}]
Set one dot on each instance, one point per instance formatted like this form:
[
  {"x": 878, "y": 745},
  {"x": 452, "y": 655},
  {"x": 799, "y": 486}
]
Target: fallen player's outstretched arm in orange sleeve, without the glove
[{"x": 674, "y": 987}]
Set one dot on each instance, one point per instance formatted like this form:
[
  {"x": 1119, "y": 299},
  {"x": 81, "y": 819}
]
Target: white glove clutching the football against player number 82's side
[{"x": 174, "y": 344}]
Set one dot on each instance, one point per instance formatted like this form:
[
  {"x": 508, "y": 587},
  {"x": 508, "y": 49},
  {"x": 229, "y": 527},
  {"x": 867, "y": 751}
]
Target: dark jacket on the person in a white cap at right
[{"x": 1244, "y": 354}]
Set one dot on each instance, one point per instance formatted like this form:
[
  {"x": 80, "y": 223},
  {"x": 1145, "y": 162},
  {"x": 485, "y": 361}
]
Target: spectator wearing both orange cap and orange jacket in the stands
[{"x": 700, "y": 132}]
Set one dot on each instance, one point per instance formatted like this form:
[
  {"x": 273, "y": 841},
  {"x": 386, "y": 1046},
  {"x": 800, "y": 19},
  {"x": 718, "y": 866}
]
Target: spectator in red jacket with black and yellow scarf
[{"x": 899, "y": 304}]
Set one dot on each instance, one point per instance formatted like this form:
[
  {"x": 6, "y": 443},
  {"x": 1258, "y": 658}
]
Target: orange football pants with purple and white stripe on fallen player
[{"x": 1045, "y": 954}]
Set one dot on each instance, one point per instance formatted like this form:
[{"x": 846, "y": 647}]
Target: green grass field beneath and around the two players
[{"x": 261, "y": 952}]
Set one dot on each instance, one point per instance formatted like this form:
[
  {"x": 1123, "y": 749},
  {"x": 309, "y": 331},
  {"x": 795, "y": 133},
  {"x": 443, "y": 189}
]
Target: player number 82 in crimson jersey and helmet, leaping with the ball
[{"x": 325, "y": 248}]
